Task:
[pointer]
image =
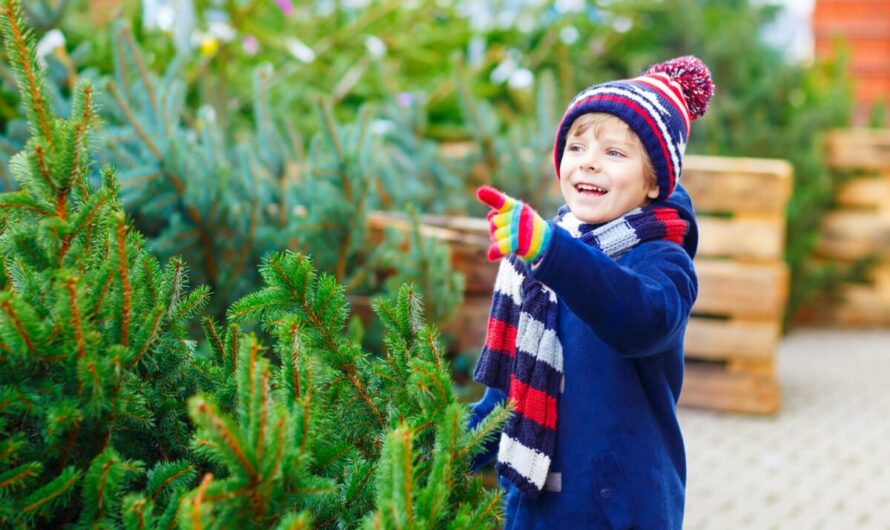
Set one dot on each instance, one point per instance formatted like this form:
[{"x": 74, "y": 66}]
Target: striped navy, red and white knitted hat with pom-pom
[{"x": 658, "y": 106}]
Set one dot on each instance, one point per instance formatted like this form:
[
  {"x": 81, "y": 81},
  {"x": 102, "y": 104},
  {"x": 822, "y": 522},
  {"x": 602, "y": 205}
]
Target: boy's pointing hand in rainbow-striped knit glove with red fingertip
[{"x": 514, "y": 227}]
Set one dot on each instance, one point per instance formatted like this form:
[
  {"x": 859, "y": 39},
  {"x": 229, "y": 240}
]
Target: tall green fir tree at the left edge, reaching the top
[{"x": 93, "y": 371}]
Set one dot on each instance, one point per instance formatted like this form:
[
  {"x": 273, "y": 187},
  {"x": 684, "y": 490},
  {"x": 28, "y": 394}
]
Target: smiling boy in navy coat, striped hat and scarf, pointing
[{"x": 589, "y": 312}]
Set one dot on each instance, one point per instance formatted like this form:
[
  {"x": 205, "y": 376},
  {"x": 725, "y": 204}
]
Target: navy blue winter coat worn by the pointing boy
[{"x": 619, "y": 460}]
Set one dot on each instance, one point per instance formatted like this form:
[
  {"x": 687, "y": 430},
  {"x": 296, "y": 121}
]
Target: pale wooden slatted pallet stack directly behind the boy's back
[{"x": 734, "y": 330}]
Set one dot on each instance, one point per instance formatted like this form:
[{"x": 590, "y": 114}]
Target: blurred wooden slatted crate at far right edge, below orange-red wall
[{"x": 859, "y": 227}]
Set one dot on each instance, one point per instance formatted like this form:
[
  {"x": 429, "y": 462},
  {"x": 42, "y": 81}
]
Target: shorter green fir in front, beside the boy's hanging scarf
[{"x": 332, "y": 437}]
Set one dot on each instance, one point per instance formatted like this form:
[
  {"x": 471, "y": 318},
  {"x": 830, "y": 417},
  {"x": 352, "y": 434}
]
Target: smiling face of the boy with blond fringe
[{"x": 602, "y": 176}]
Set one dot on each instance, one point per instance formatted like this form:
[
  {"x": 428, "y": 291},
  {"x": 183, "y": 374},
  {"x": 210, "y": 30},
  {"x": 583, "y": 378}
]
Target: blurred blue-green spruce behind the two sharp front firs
[{"x": 222, "y": 194}]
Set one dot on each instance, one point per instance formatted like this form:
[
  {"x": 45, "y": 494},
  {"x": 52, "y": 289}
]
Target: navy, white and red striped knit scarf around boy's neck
[{"x": 522, "y": 355}]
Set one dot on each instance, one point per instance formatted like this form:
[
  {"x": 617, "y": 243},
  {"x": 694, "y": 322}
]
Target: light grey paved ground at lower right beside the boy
[{"x": 822, "y": 463}]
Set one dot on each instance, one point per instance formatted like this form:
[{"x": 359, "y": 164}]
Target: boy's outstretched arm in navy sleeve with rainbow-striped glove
[{"x": 636, "y": 310}]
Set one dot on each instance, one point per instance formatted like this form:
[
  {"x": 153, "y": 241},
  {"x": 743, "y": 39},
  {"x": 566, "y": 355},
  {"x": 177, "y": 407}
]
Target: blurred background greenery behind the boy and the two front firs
[{"x": 245, "y": 126}]
